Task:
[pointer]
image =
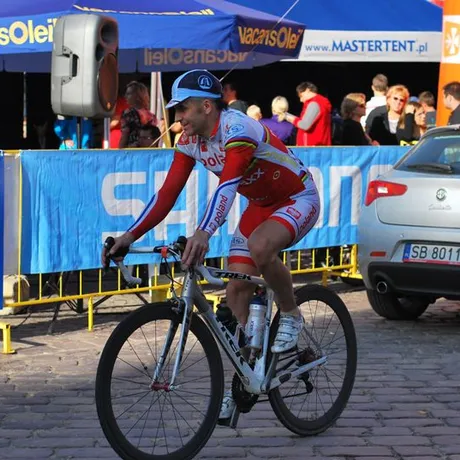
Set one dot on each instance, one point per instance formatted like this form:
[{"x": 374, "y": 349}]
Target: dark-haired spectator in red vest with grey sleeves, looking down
[{"x": 314, "y": 124}]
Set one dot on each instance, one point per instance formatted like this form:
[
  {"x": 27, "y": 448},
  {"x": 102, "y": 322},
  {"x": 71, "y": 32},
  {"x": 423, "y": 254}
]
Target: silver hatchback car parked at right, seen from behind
[{"x": 409, "y": 229}]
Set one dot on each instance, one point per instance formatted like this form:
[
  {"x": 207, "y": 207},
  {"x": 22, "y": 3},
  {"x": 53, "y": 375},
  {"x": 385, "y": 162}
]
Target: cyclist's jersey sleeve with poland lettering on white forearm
[{"x": 239, "y": 154}]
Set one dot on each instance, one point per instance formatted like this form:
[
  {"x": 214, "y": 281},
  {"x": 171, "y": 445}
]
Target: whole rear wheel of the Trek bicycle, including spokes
[{"x": 312, "y": 402}]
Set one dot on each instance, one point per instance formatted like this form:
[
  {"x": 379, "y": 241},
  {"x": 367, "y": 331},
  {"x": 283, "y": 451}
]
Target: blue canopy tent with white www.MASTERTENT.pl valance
[{"x": 358, "y": 30}]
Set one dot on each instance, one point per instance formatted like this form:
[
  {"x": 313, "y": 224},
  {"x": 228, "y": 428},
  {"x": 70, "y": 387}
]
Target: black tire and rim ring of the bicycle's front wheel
[{"x": 136, "y": 319}]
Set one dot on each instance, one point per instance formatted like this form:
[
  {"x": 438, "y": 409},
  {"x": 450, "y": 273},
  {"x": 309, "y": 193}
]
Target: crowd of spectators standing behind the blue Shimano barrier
[{"x": 392, "y": 116}]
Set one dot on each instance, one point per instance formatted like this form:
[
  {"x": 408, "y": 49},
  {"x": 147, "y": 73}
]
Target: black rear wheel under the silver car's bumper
[{"x": 391, "y": 306}]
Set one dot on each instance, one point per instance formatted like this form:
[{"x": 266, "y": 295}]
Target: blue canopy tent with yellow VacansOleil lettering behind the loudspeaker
[{"x": 26, "y": 32}]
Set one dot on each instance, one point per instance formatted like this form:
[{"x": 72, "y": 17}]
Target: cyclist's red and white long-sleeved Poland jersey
[{"x": 248, "y": 159}]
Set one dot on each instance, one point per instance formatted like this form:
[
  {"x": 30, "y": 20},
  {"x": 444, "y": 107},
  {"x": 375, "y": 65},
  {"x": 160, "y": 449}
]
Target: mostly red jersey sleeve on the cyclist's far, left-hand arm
[{"x": 162, "y": 202}]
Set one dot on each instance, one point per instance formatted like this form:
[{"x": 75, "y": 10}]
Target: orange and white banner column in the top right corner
[{"x": 450, "y": 60}]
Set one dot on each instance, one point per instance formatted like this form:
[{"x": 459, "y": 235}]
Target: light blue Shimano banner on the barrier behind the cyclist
[{"x": 73, "y": 200}]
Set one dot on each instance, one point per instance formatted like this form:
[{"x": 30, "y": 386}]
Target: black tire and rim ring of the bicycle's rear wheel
[{"x": 298, "y": 425}]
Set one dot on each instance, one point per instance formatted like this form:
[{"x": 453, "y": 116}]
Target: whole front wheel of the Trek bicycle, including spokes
[{"x": 145, "y": 419}]
